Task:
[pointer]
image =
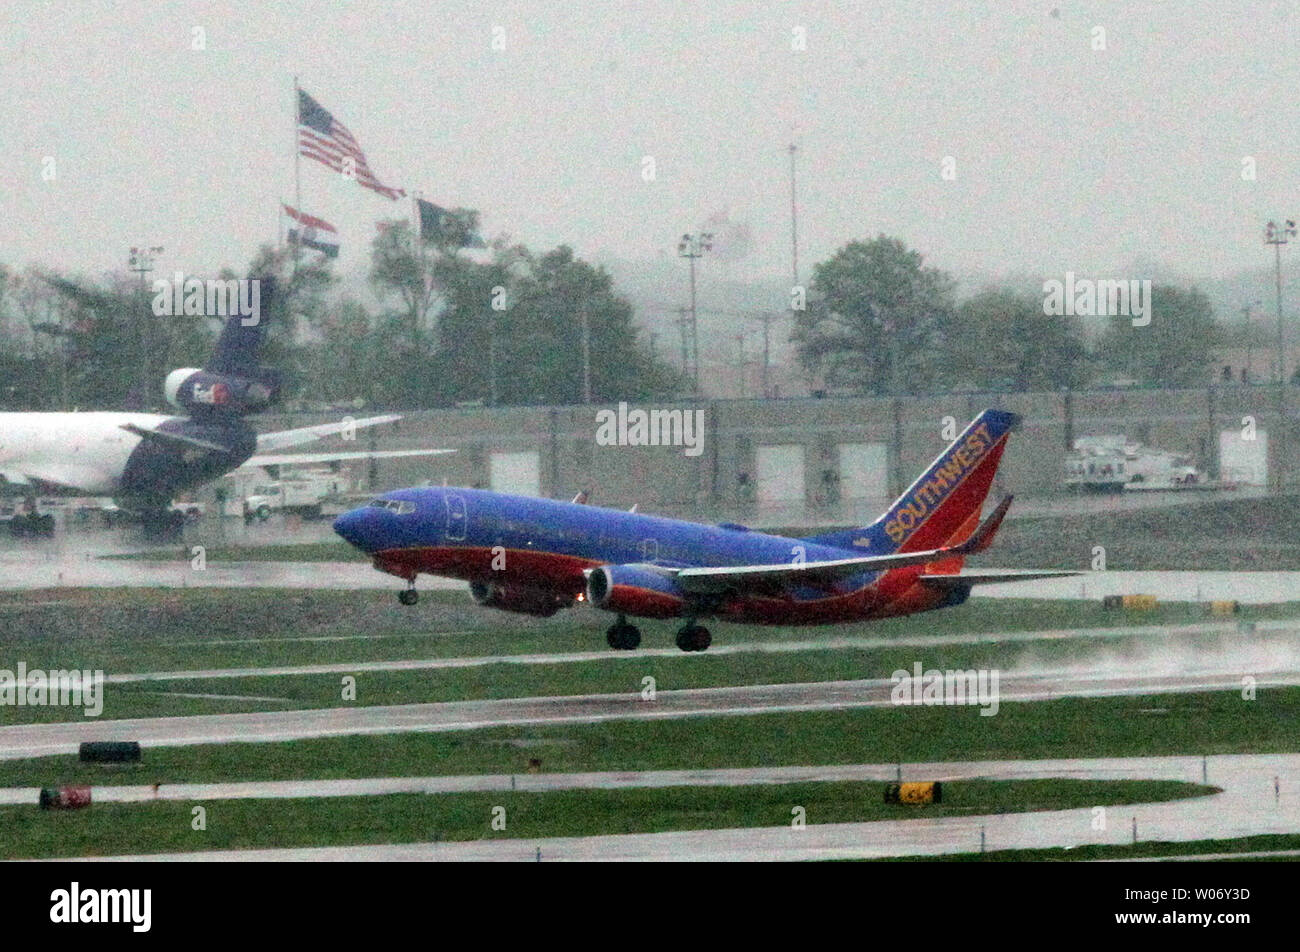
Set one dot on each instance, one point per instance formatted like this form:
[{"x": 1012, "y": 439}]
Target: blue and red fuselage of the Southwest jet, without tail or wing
[{"x": 530, "y": 546}]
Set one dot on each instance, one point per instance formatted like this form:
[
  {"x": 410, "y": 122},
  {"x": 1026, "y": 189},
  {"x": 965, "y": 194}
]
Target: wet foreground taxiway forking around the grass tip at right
[{"x": 1262, "y": 795}]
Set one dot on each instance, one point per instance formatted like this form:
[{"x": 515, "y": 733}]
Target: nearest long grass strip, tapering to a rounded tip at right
[{"x": 168, "y": 826}]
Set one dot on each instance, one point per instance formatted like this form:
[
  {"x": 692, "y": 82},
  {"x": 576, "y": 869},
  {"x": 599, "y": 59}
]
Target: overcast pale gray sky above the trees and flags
[{"x": 1067, "y": 158}]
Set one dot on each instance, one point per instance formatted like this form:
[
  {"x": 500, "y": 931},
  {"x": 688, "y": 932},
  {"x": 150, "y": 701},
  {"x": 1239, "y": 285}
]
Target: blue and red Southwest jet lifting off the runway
[{"x": 539, "y": 556}]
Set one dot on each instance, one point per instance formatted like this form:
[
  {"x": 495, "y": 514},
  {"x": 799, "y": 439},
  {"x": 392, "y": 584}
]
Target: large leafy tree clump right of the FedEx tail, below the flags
[{"x": 508, "y": 331}]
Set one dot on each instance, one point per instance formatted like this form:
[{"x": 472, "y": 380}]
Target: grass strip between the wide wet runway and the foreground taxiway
[{"x": 1203, "y": 724}]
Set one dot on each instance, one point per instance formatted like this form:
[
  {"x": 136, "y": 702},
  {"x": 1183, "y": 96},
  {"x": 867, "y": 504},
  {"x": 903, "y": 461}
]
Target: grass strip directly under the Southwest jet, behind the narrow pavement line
[{"x": 171, "y": 630}]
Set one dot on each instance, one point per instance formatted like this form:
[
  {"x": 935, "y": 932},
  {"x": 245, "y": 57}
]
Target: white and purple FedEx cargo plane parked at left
[{"x": 144, "y": 461}]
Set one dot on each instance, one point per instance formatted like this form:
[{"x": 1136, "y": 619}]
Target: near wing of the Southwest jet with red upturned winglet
[{"x": 713, "y": 581}]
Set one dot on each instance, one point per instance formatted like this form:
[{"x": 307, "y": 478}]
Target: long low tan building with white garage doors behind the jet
[{"x": 813, "y": 462}]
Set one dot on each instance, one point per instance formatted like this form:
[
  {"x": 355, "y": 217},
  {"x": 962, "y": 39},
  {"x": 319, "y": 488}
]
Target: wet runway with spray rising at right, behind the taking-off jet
[{"x": 47, "y": 739}]
